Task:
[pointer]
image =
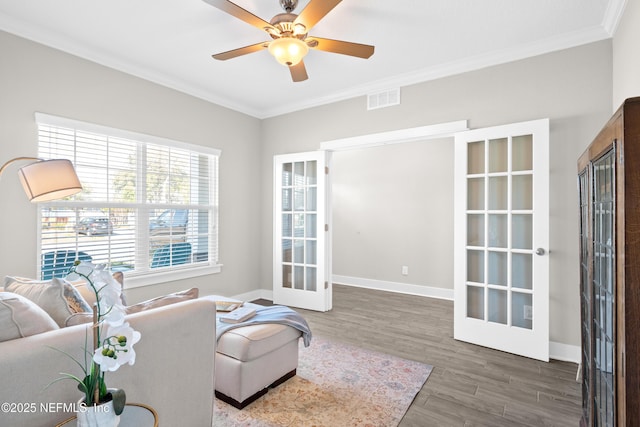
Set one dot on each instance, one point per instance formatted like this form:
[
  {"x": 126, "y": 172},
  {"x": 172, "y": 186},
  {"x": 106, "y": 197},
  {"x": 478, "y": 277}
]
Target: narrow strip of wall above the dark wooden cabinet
[{"x": 626, "y": 60}]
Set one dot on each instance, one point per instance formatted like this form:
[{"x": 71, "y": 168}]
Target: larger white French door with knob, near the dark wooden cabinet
[{"x": 501, "y": 278}]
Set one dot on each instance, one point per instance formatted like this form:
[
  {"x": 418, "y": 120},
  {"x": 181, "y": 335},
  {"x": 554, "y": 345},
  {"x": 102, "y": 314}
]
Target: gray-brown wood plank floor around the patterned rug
[{"x": 469, "y": 385}]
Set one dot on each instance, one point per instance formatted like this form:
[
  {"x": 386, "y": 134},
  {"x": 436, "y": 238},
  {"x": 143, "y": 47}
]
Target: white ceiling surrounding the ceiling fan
[{"x": 170, "y": 42}]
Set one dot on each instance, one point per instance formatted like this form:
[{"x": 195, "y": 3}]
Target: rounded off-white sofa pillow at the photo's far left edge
[{"x": 21, "y": 317}]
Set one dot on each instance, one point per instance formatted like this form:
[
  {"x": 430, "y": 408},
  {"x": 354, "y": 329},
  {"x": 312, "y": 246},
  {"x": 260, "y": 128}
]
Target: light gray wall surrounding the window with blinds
[{"x": 35, "y": 78}]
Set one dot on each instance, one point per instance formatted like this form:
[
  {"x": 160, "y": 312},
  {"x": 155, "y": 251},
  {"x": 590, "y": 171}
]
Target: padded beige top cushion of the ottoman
[{"x": 250, "y": 342}]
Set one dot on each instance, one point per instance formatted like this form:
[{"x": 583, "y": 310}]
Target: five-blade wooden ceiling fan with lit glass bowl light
[{"x": 290, "y": 34}]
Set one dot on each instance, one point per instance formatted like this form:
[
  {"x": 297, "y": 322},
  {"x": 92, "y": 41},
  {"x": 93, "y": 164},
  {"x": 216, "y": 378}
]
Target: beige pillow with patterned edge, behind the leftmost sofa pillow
[{"x": 56, "y": 296}]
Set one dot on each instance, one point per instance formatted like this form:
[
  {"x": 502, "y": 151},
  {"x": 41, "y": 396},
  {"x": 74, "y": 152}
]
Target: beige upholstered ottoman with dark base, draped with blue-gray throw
[{"x": 250, "y": 359}]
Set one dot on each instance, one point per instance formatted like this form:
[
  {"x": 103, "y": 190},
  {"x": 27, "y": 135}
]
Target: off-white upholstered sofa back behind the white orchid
[{"x": 173, "y": 372}]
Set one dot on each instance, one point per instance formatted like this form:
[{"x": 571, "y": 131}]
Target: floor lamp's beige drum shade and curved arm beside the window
[{"x": 45, "y": 180}]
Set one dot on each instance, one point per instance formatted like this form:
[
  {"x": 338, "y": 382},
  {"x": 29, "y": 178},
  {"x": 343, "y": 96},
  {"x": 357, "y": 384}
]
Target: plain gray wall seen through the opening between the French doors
[{"x": 391, "y": 208}]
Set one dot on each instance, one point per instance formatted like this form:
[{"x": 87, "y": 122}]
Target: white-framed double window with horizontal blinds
[{"x": 148, "y": 205}]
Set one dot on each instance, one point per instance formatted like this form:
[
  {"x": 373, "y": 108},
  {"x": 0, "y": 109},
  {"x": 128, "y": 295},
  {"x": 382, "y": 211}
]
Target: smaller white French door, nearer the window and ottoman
[{"x": 302, "y": 243}]
